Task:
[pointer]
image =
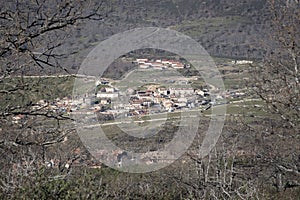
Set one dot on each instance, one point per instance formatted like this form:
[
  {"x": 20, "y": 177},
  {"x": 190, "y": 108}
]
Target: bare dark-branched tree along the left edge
[{"x": 32, "y": 39}]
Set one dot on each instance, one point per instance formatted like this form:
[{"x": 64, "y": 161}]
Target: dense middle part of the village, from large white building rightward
[{"x": 153, "y": 99}]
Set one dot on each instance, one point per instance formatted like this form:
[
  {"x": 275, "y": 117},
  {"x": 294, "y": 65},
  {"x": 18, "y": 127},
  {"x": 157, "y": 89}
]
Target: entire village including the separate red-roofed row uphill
[{"x": 148, "y": 99}]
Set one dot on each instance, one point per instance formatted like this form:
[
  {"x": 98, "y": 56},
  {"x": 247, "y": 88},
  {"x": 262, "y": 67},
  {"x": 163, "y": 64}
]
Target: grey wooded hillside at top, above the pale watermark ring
[{"x": 225, "y": 28}]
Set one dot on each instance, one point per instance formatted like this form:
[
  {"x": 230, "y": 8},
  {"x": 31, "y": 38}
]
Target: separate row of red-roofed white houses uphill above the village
[{"x": 144, "y": 63}]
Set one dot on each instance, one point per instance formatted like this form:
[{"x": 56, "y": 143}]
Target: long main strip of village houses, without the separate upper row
[{"x": 150, "y": 100}]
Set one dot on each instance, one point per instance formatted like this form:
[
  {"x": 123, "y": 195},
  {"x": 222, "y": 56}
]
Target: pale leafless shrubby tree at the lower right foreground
[{"x": 223, "y": 173}]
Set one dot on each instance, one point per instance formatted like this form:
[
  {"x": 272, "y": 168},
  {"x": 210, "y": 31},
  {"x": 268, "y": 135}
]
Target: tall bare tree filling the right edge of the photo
[{"x": 276, "y": 82}]
